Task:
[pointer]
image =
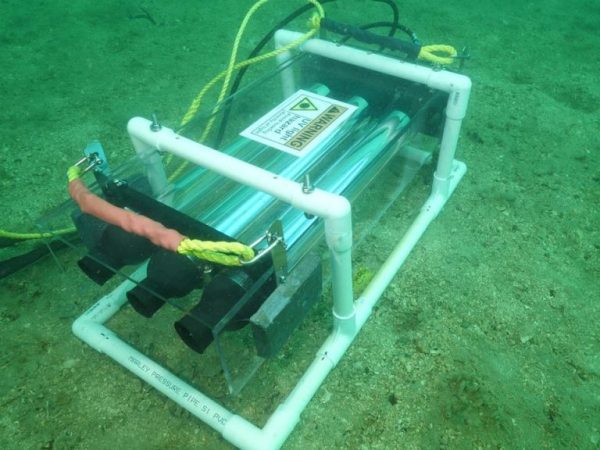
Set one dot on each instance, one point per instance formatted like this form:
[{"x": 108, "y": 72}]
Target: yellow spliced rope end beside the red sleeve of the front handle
[{"x": 224, "y": 253}]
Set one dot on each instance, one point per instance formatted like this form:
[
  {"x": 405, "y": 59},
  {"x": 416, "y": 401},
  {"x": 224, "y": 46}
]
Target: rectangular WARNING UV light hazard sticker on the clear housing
[{"x": 300, "y": 123}]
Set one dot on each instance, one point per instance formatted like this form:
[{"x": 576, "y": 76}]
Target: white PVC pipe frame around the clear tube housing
[{"x": 349, "y": 316}]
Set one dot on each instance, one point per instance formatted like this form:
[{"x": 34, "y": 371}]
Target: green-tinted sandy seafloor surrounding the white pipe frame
[{"x": 487, "y": 338}]
